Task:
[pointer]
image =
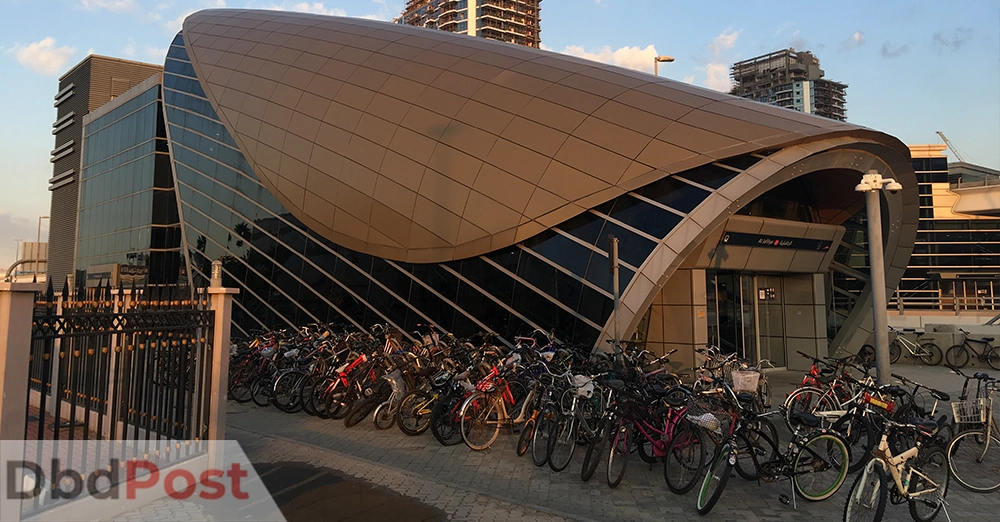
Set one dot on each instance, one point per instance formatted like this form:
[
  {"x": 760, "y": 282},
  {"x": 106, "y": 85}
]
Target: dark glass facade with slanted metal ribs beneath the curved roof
[{"x": 558, "y": 280}]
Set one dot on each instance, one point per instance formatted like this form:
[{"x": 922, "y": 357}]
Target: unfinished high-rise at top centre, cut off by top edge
[{"x": 512, "y": 21}]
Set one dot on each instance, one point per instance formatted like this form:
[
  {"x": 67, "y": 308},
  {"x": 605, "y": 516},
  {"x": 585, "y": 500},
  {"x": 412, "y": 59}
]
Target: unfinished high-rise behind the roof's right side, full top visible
[{"x": 792, "y": 79}]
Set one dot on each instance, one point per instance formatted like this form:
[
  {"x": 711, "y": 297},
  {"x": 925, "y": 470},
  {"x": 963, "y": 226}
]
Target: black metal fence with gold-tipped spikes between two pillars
[{"x": 117, "y": 364}]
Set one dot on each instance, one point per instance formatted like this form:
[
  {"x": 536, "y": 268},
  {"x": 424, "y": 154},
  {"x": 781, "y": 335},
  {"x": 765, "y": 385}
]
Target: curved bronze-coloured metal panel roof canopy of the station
[{"x": 425, "y": 146}]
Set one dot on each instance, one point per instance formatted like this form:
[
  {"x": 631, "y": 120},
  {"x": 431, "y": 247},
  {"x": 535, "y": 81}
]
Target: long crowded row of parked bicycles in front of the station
[{"x": 625, "y": 403}]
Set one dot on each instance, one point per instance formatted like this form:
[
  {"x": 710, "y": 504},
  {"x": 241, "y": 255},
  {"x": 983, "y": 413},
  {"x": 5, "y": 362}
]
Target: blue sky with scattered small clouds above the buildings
[{"x": 913, "y": 67}]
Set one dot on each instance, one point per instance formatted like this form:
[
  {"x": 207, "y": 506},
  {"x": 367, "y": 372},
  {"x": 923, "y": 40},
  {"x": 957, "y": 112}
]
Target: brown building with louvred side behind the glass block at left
[{"x": 88, "y": 85}]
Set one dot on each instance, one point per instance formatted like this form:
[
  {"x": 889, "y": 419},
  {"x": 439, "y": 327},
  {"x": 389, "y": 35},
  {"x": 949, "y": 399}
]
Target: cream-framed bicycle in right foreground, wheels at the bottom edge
[{"x": 919, "y": 474}]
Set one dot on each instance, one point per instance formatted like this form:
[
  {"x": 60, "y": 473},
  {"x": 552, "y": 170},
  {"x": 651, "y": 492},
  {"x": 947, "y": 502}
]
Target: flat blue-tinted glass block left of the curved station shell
[{"x": 128, "y": 209}]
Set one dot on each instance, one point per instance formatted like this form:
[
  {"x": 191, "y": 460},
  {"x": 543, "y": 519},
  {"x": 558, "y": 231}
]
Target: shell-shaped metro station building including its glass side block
[{"x": 363, "y": 172}]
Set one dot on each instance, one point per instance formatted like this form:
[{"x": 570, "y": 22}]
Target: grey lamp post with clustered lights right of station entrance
[{"x": 871, "y": 184}]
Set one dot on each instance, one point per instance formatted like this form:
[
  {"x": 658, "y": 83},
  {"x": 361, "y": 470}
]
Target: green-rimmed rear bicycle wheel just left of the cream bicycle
[{"x": 820, "y": 468}]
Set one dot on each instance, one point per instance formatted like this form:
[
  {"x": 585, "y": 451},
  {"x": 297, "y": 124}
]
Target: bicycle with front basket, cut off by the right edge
[{"x": 974, "y": 454}]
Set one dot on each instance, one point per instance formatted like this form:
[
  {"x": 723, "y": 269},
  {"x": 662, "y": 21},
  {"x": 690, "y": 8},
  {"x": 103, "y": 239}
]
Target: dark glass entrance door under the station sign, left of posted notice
[{"x": 732, "y": 322}]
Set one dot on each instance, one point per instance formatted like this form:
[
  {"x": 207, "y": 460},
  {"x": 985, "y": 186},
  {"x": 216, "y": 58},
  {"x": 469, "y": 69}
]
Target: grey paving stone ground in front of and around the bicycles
[{"x": 495, "y": 484}]
